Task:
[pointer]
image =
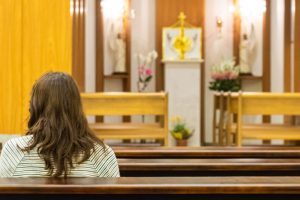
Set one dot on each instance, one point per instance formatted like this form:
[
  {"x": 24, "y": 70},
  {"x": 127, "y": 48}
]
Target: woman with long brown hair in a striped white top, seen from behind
[{"x": 58, "y": 142}]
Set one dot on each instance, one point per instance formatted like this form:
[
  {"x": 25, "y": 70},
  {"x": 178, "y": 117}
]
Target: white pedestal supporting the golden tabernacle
[{"x": 182, "y": 82}]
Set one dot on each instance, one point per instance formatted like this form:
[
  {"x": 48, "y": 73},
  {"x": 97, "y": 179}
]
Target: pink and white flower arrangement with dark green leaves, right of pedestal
[{"x": 225, "y": 76}]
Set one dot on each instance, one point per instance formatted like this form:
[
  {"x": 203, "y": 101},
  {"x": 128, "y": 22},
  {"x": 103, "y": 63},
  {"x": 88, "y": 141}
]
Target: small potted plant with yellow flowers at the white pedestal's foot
[{"x": 180, "y": 131}]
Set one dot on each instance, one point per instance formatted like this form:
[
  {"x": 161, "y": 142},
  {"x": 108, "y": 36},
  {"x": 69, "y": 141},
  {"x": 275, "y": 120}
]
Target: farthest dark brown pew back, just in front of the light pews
[{"x": 207, "y": 152}]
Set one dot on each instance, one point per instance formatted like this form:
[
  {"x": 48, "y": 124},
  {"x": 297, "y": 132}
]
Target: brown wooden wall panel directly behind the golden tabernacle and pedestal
[{"x": 167, "y": 12}]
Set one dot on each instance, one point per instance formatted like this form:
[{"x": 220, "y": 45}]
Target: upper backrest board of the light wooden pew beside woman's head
[{"x": 124, "y": 103}]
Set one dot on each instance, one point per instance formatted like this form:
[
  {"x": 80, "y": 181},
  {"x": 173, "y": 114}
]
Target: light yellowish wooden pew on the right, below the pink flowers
[{"x": 243, "y": 104}]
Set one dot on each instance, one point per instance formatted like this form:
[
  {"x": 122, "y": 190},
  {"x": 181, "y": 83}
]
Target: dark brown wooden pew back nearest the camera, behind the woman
[{"x": 204, "y": 188}]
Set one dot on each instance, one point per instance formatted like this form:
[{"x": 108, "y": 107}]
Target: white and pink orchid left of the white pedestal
[{"x": 145, "y": 69}]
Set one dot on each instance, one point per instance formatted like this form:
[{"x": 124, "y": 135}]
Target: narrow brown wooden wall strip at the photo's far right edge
[{"x": 297, "y": 48}]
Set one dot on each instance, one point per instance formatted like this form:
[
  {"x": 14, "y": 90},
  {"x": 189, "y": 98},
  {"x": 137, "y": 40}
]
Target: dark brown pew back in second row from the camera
[{"x": 210, "y": 167}]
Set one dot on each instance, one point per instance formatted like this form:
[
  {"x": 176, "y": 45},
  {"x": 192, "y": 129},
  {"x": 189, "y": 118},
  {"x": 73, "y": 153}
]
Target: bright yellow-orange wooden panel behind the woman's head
[{"x": 35, "y": 37}]
